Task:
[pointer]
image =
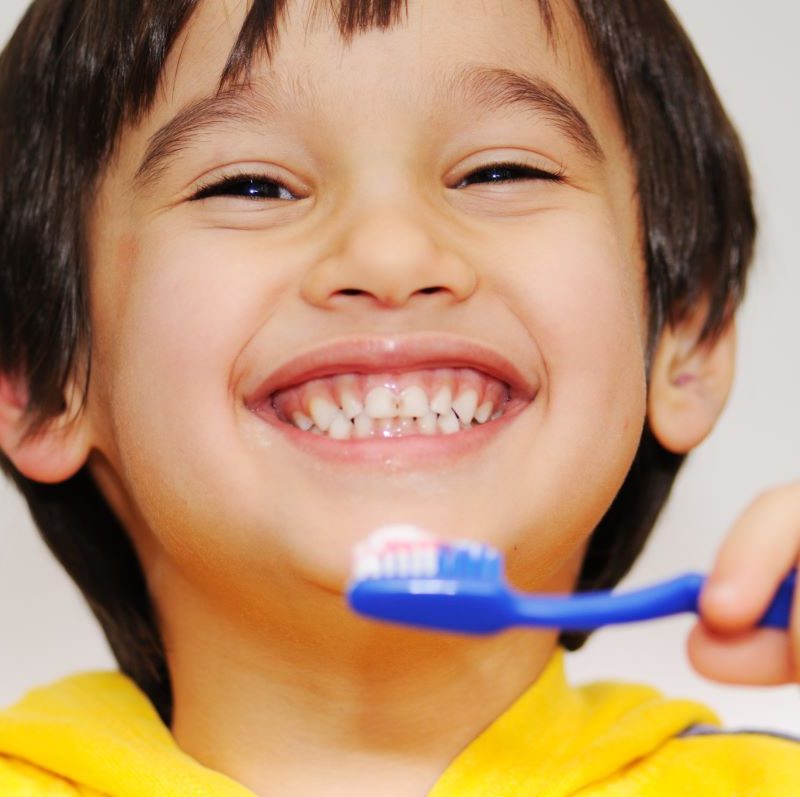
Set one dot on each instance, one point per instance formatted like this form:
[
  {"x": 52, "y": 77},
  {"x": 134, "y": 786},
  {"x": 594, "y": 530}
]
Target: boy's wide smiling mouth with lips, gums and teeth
[{"x": 419, "y": 399}]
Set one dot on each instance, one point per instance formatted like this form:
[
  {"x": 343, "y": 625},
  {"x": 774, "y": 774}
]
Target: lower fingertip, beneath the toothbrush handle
[{"x": 757, "y": 658}]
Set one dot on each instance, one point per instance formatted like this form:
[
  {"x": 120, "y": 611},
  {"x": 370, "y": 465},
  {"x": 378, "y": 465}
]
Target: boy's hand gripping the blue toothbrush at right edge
[{"x": 760, "y": 551}]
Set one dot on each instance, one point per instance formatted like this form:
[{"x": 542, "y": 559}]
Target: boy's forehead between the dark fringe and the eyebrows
[{"x": 426, "y": 55}]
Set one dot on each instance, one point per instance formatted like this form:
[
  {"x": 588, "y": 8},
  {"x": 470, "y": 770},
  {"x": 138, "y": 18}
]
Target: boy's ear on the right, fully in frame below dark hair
[{"x": 690, "y": 382}]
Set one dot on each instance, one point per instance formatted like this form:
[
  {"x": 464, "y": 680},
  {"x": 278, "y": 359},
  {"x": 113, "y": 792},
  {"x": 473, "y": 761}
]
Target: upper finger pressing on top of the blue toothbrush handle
[{"x": 761, "y": 549}]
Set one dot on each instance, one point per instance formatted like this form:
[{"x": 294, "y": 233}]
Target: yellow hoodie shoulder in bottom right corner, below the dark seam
[{"x": 714, "y": 763}]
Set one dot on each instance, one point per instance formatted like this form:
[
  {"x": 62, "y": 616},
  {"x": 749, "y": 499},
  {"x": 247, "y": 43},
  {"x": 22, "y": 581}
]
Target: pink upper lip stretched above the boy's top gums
[{"x": 396, "y": 353}]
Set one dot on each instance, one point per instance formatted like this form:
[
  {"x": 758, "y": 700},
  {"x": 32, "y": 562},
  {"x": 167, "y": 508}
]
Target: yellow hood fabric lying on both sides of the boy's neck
[{"x": 99, "y": 730}]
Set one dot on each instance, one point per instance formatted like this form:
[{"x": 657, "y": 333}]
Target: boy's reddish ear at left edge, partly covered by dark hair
[{"x": 51, "y": 454}]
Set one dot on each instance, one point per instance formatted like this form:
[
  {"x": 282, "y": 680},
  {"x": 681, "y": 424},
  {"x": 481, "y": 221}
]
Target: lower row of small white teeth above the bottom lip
[{"x": 362, "y": 426}]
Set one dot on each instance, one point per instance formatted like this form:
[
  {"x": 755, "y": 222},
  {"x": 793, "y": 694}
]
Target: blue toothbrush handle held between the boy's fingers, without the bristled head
[{"x": 587, "y": 611}]
